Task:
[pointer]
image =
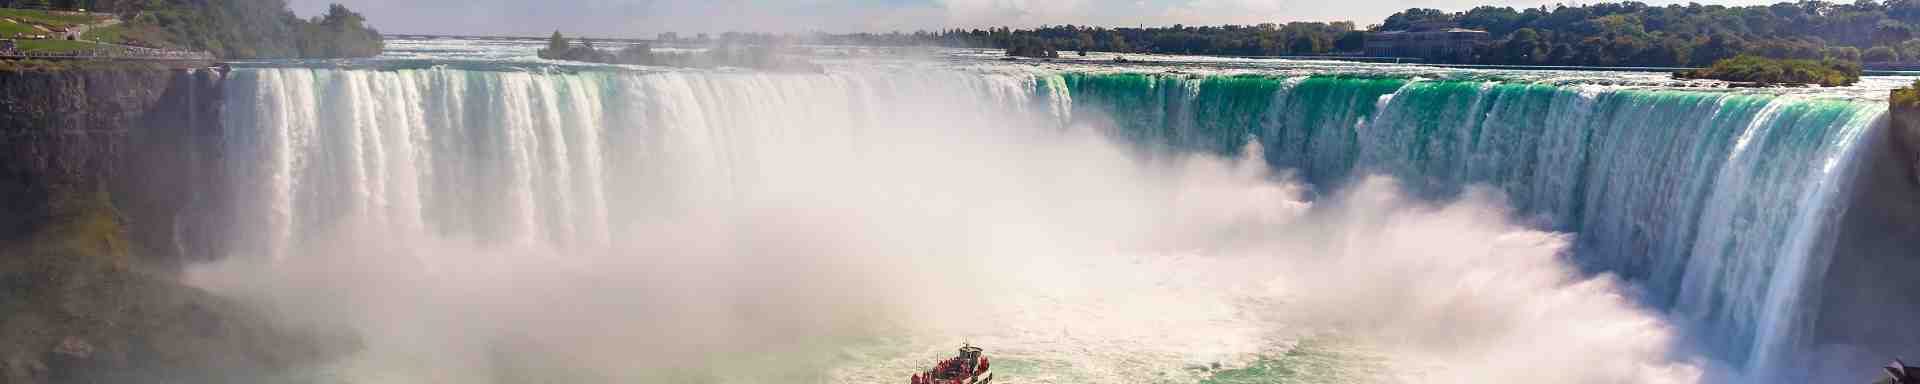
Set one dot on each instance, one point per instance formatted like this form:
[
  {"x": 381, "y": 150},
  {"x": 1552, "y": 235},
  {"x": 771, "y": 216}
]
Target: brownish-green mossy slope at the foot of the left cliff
[{"x": 80, "y": 310}]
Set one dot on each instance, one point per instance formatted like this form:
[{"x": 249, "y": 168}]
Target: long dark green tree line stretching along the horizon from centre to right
[{"x": 1612, "y": 34}]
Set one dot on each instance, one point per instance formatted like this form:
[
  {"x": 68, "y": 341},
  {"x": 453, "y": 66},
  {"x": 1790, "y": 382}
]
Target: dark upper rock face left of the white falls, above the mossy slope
[{"x": 149, "y": 137}]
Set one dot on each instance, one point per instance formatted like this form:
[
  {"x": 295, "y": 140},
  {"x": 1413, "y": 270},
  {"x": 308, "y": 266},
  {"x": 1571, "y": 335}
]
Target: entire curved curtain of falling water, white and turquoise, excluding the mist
[{"x": 1717, "y": 203}]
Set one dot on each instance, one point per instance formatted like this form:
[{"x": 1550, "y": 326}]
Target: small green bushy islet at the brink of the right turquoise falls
[{"x": 1779, "y": 72}]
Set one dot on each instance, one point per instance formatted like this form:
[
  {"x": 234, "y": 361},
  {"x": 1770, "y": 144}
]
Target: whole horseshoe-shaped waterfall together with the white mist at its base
[{"x": 1086, "y": 226}]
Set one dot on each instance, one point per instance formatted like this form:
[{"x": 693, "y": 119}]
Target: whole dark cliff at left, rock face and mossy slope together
[{"x": 110, "y": 181}]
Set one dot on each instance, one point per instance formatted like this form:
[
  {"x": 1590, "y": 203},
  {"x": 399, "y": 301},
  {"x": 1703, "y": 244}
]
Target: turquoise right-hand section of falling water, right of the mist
[{"x": 1704, "y": 199}]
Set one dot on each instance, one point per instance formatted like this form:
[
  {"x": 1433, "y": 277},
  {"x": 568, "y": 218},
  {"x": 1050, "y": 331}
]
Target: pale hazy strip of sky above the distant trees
[{"x": 648, "y": 18}]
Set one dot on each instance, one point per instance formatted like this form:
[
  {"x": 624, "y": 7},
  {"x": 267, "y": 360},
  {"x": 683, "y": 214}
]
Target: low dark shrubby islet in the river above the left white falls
[{"x": 757, "y": 57}]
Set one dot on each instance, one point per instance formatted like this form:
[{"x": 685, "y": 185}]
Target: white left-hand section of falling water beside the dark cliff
[{"x": 531, "y": 158}]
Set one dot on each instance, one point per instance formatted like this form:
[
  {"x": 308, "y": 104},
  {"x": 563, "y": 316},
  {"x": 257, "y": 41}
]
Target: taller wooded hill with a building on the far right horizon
[{"x": 1635, "y": 34}]
